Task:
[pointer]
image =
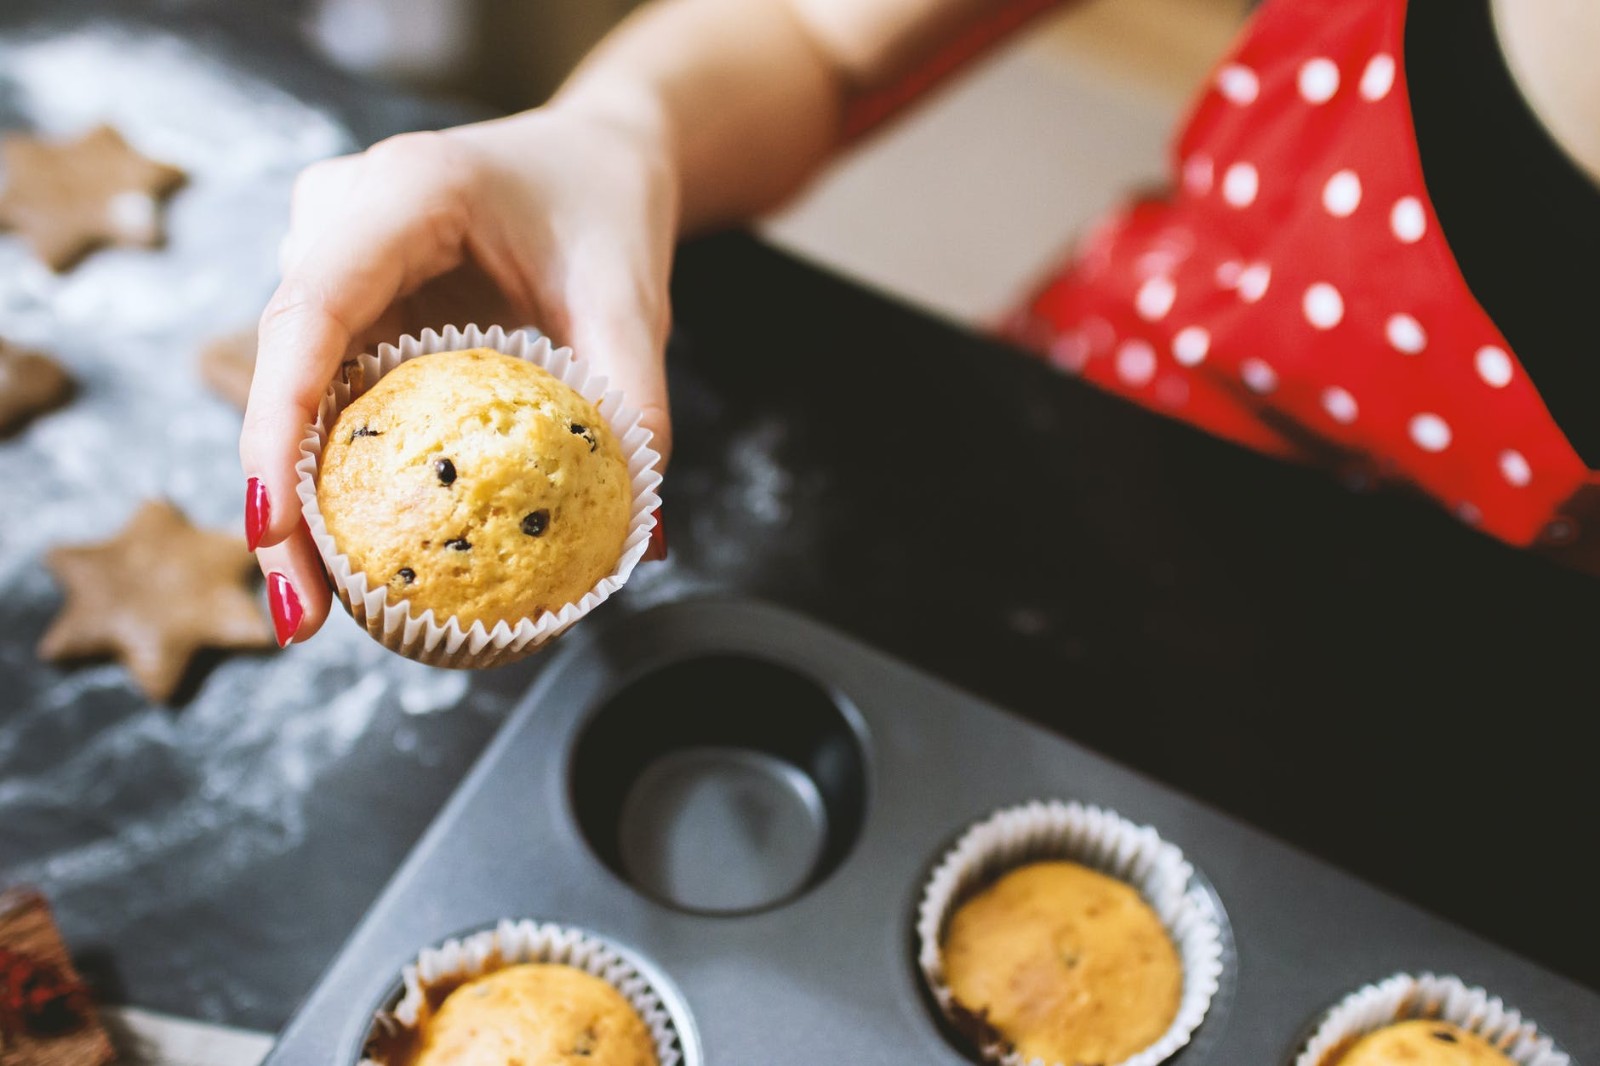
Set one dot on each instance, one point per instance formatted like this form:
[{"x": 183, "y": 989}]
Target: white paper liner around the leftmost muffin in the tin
[{"x": 513, "y": 944}]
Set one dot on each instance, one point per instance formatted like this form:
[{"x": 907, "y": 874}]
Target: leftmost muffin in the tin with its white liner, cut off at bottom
[{"x": 526, "y": 993}]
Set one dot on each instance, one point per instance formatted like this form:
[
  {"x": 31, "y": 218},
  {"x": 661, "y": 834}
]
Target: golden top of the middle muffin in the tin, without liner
[{"x": 1065, "y": 964}]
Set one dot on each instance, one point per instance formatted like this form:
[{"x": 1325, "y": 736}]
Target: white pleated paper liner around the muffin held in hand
[{"x": 447, "y": 643}]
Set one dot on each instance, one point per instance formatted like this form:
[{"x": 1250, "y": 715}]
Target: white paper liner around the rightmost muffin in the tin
[{"x": 1407, "y": 996}]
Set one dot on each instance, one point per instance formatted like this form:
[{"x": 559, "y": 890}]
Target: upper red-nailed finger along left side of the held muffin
[{"x": 366, "y": 233}]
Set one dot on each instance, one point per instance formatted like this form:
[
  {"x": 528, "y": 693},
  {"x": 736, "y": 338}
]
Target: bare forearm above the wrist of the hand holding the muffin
[{"x": 748, "y": 98}]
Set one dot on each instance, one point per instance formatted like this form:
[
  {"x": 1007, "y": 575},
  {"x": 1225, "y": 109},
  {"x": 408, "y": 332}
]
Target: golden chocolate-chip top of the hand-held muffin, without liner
[{"x": 476, "y": 484}]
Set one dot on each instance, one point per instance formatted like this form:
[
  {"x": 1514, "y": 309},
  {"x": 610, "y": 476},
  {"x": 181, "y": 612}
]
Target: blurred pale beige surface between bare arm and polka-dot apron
[{"x": 966, "y": 202}]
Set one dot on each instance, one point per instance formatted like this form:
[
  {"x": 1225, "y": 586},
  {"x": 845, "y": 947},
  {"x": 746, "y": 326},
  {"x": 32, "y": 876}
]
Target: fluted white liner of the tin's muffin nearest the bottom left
[{"x": 439, "y": 971}]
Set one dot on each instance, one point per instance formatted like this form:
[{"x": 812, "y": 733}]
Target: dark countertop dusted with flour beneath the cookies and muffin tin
[{"x": 1354, "y": 673}]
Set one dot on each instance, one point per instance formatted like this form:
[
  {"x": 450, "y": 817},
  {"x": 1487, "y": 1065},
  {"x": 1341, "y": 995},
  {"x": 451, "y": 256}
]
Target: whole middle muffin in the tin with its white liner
[{"x": 1065, "y": 934}]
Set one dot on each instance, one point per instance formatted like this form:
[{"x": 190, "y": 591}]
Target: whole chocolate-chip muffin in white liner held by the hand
[{"x": 474, "y": 494}]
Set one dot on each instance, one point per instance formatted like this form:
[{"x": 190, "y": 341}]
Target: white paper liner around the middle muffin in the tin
[{"x": 1105, "y": 843}]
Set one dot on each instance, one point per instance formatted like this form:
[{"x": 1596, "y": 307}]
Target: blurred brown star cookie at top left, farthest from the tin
[{"x": 70, "y": 198}]
